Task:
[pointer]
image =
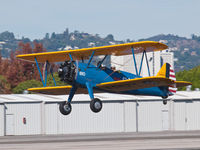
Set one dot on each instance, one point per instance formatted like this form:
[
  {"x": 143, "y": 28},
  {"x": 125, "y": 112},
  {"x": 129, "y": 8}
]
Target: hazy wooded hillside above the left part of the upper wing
[{"x": 56, "y": 42}]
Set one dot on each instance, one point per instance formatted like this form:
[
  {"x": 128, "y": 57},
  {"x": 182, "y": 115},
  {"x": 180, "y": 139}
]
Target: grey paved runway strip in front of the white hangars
[{"x": 115, "y": 141}]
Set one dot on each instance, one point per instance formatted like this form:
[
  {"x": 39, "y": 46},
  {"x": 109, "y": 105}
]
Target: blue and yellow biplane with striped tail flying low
[{"x": 82, "y": 76}]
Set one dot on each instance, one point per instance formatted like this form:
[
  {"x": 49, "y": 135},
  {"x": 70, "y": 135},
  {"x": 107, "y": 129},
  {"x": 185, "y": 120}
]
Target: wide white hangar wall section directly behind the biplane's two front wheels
[{"x": 83, "y": 120}]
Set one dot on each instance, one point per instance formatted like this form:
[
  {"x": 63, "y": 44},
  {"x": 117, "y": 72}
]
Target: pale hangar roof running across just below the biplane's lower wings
[{"x": 181, "y": 95}]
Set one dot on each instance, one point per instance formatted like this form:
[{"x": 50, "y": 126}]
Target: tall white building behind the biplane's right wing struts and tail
[{"x": 155, "y": 61}]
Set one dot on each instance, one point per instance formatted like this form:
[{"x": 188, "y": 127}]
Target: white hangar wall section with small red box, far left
[{"x": 18, "y": 111}]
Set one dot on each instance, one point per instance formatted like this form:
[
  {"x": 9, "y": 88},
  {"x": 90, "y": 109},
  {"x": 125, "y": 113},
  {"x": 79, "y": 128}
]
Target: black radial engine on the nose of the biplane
[{"x": 67, "y": 71}]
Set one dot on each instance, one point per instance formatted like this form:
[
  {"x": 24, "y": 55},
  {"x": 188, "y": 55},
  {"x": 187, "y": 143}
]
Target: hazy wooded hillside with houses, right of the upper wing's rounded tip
[{"x": 186, "y": 51}]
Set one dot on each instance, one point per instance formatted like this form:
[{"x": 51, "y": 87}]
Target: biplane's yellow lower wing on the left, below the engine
[{"x": 57, "y": 90}]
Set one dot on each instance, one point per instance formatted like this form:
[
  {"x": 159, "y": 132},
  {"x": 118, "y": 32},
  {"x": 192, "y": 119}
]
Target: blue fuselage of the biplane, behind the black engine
[{"x": 95, "y": 75}]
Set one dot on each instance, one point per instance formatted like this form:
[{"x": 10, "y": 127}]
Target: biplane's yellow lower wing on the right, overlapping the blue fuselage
[{"x": 134, "y": 84}]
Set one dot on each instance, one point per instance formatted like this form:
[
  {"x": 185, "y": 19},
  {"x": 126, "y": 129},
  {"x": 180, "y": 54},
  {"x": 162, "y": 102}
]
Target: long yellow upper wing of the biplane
[{"x": 78, "y": 54}]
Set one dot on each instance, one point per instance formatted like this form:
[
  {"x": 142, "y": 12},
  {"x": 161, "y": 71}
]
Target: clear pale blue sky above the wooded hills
[{"x": 125, "y": 19}]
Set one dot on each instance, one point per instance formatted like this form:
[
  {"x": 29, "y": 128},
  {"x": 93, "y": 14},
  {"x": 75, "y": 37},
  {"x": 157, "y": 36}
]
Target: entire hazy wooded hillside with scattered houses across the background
[{"x": 186, "y": 50}]
